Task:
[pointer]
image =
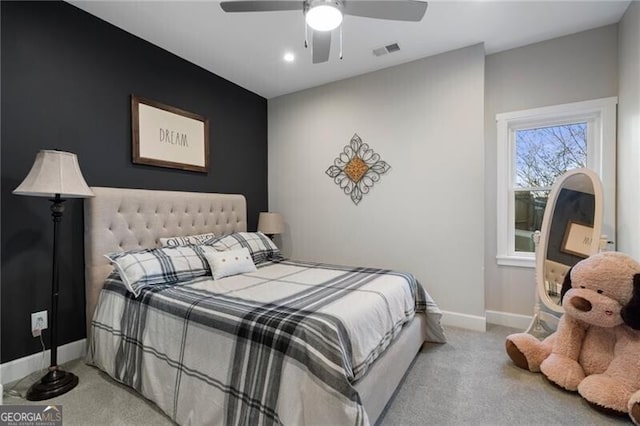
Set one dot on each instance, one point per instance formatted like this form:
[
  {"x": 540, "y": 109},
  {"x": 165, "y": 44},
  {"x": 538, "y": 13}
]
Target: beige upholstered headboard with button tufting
[{"x": 118, "y": 219}]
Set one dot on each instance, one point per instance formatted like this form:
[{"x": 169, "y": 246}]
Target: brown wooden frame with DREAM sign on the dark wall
[{"x": 166, "y": 136}]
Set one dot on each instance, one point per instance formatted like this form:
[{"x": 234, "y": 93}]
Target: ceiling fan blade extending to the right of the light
[{"x": 395, "y": 10}]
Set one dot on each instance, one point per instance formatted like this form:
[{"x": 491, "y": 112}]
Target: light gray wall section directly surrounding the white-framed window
[{"x": 574, "y": 68}]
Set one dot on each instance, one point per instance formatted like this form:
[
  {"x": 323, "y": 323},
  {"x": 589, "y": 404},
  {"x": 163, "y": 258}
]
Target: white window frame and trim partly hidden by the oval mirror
[{"x": 600, "y": 114}]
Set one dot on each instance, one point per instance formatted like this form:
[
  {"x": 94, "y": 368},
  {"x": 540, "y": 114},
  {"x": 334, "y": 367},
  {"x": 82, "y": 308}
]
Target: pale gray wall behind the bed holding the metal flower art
[{"x": 426, "y": 215}]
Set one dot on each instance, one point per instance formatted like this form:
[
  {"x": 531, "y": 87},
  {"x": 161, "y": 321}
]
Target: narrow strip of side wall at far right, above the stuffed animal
[{"x": 628, "y": 234}]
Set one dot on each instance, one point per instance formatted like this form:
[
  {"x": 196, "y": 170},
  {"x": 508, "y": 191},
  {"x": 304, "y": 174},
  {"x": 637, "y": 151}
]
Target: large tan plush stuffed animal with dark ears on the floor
[{"x": 596, "y": 348}]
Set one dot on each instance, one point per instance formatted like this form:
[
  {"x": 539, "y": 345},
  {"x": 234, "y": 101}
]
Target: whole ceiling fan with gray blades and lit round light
[{"x": 323, "y": 16}]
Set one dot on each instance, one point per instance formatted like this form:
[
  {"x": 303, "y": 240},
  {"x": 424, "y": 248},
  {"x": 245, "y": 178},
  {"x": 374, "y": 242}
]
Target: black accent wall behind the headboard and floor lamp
[{"x": 67, "y": 78}]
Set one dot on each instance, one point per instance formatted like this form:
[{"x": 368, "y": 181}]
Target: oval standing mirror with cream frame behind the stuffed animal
[{"x": 571, "y": 230}]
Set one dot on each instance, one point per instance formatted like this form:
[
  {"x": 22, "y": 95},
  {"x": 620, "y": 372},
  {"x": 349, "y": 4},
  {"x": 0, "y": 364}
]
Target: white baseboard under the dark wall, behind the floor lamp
[{"x": 22, "y": 367}]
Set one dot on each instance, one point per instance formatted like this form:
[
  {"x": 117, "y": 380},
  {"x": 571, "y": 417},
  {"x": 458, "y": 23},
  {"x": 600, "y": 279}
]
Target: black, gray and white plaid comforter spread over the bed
[{"x": 282, "y": 345}]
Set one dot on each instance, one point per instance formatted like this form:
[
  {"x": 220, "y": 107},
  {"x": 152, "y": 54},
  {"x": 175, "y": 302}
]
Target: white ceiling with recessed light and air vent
[{"x": 248, "y": 48}]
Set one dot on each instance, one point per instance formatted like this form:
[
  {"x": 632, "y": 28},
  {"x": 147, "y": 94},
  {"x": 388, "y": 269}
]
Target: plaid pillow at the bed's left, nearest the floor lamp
[{"x": 142, "y": 268}]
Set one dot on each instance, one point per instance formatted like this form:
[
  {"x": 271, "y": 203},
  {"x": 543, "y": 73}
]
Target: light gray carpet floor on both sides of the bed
[{"x": 467, "y": 381}]
